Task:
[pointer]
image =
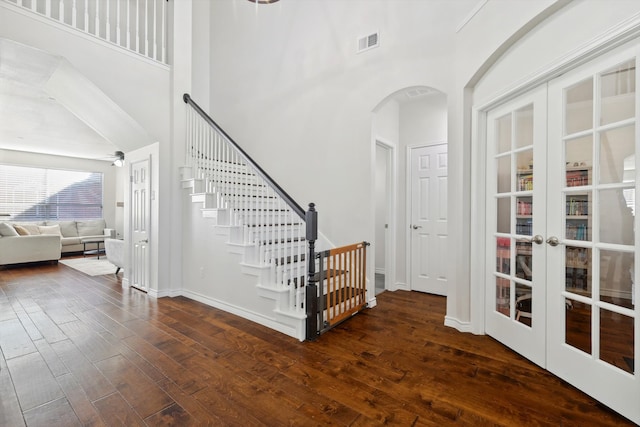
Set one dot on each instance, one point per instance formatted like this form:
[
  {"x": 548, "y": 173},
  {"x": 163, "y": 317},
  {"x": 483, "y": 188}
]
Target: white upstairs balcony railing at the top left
[{"x": 137, "y": 25}]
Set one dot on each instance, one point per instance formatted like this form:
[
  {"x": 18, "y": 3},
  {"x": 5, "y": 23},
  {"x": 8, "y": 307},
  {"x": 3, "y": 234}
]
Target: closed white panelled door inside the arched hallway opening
[{"x": 429, "y": 239}]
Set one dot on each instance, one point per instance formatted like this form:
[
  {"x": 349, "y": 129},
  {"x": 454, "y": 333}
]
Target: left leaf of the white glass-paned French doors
[{"x": 515, "y": 282}]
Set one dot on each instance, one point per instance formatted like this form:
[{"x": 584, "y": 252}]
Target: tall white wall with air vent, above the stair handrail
[{"x": 292, "y": 90}]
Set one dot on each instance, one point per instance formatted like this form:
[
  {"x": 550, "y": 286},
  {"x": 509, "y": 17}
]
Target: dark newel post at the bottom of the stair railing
[{"x": 311, "y": 303}]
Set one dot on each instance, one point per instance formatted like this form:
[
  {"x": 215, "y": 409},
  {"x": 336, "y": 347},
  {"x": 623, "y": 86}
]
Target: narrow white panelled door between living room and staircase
[{"x": 140, "y": 221}]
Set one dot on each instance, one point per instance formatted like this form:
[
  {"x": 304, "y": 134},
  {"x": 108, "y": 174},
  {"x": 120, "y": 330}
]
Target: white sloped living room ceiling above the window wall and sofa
[{"x": 33, "y": 118}]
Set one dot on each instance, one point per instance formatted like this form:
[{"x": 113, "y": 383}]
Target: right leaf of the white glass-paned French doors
[{"x": 593, "y": 338}]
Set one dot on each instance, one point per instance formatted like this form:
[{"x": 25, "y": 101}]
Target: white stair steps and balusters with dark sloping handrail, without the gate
[{"x": 261, "y": 222}]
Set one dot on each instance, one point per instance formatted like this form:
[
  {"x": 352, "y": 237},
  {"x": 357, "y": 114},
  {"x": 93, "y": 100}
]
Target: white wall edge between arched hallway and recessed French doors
[{"x": 479, "y": 44}]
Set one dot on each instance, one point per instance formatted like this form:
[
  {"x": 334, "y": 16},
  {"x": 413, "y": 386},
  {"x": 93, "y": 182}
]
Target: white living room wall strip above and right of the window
[{"x": 20, "y": 158}]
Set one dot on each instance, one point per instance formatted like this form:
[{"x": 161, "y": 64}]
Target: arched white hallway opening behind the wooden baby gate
[{"x": 412, "y": 117}]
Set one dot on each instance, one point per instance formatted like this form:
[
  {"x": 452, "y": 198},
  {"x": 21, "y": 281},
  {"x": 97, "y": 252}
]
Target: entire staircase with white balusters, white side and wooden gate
[{"x": 308, "y": 292}]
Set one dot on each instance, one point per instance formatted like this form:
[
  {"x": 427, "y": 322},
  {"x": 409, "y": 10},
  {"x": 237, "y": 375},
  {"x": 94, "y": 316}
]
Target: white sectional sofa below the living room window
[{"x": 47, "y": 240}]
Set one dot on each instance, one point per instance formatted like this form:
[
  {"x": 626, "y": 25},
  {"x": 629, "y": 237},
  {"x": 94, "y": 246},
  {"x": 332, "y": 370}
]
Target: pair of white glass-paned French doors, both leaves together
[{"x": 561, "y": 229}]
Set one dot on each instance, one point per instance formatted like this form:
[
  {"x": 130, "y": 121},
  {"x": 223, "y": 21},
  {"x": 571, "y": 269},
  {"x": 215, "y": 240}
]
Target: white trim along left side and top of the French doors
[{"x": 615, "y": 37}]
